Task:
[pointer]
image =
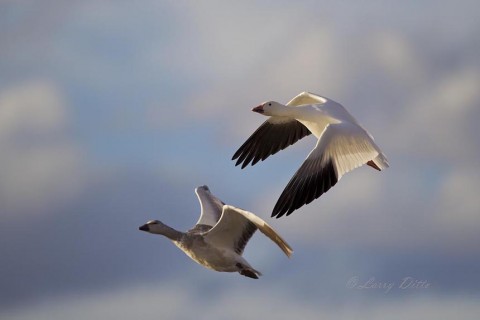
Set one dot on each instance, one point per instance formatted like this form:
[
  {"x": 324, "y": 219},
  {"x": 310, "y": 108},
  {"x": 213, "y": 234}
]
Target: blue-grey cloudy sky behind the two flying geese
[{"x": 112, "y": 112}]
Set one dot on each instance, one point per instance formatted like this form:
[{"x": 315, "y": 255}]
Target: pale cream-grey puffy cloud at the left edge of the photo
[{"x": 40, "y": 165}]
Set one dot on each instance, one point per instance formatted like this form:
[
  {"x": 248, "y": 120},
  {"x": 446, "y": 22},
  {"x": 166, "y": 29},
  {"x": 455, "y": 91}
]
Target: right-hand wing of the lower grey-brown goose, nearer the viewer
[{"x": 235, "y": 228}]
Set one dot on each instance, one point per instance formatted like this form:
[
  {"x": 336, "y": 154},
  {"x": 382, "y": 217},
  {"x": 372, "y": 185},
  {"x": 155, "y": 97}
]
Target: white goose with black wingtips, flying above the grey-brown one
[{"x": 343, "y": 145}]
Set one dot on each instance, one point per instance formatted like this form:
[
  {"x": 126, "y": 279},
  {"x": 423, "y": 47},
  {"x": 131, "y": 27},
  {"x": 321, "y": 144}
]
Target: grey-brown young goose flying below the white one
[{"x": 219, "y": 236}]
